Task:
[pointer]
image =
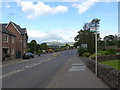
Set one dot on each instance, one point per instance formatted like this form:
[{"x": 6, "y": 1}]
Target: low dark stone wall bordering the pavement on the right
[{"x": 106, "y": 73}]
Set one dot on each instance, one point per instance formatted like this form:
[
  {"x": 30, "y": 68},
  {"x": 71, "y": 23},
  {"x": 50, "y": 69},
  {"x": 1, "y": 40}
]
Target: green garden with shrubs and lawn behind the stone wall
[{"x": 109, "y": 57}]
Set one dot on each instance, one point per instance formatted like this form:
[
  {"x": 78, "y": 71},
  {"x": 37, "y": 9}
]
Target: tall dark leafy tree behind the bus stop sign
[{"x": 86, "y": 37}]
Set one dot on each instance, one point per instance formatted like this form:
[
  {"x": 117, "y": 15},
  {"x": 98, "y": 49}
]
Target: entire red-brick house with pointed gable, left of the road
[{"x": 16, "y": 40}]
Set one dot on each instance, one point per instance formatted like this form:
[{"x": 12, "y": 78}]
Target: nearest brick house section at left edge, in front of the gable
[{"x": 8, "y": 43}]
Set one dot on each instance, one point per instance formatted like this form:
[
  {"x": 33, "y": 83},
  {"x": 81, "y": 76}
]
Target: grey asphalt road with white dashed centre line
[{"x": 35, "y": 73}]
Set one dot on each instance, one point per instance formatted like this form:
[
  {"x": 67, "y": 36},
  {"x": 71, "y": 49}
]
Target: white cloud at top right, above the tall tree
[{"x": 84, "y": 6}]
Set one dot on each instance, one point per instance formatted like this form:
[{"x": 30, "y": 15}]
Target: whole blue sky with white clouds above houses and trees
[{"x": 60, "y": 21}]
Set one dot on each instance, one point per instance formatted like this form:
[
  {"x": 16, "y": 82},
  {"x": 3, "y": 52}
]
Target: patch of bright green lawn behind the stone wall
[{"x": 112, "y": 63}]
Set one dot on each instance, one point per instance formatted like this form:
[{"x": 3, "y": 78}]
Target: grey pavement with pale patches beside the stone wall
[{"x": 75, "y": 74}]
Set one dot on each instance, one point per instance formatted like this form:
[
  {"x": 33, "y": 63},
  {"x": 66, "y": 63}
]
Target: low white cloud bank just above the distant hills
[{"x": 54, "y": 35}]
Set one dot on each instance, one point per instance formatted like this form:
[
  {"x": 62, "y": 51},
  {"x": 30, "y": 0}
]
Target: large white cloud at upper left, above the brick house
[{"x": 39, "y": 9}]
